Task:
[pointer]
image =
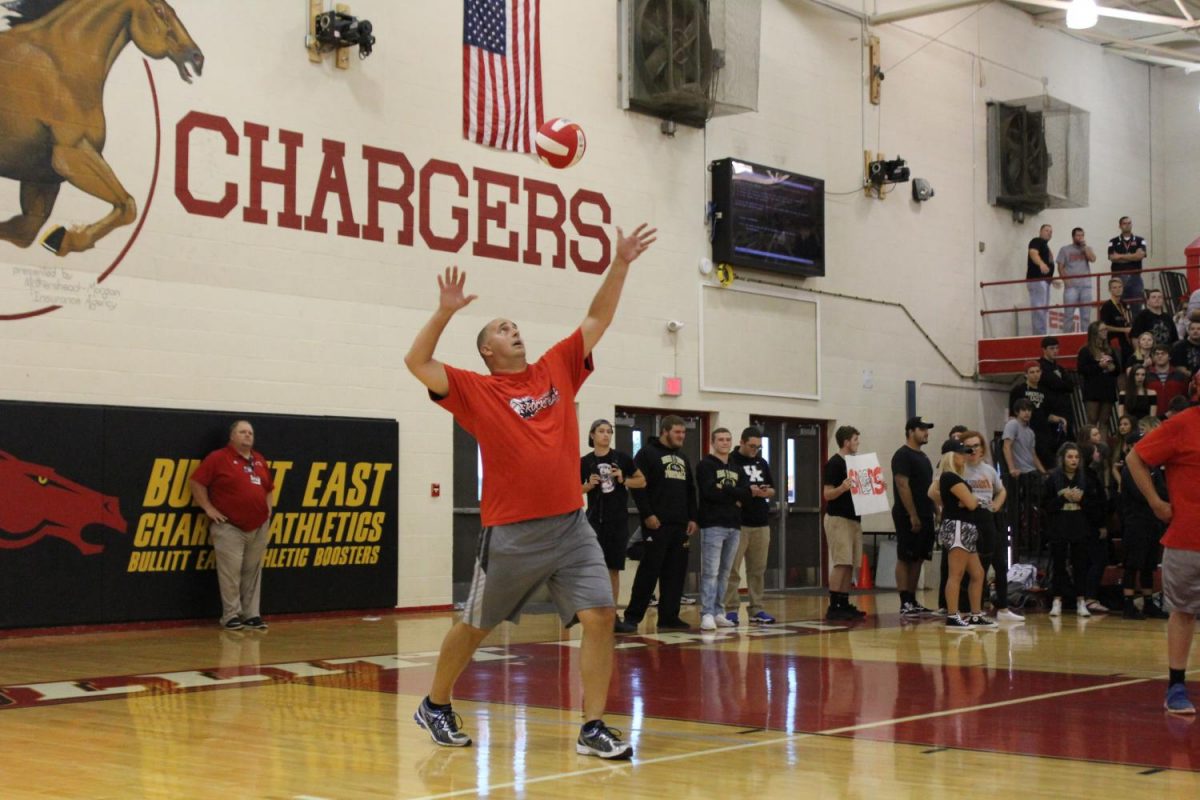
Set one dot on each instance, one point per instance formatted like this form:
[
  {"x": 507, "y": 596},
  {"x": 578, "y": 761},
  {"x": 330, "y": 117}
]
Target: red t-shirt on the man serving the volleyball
[{"x": 527, "y": 432}]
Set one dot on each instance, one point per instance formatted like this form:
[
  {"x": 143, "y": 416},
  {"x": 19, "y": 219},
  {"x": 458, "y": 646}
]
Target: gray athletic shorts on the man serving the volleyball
[{"x": 513, "y": 562}]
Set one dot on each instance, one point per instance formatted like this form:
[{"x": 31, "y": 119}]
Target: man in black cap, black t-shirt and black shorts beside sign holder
[{"x": 913, "y": 514}]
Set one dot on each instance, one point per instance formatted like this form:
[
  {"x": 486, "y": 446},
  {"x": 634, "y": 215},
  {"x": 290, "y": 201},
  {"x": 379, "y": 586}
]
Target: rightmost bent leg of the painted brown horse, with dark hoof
[{"x": 87, "y": 171}]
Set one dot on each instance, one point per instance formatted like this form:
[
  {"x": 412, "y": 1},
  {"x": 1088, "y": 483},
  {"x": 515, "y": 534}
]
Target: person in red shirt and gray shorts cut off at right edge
[{"x": 1175, "y": 446}]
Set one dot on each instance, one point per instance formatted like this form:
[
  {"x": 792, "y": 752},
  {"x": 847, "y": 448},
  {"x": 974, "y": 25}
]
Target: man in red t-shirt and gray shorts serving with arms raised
[{"x": 535, "y": 528}]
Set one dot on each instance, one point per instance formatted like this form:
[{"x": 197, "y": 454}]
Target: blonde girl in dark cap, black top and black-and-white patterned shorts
[{"x": 959, "y": 536}]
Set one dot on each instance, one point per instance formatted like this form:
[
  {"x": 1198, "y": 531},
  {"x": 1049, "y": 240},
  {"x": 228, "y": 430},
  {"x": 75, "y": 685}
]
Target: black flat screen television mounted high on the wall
[{"x": 769, "y": 219}]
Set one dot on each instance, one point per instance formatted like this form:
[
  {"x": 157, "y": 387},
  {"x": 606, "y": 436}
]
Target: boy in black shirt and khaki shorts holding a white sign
[{"x": 844, "y": 528}]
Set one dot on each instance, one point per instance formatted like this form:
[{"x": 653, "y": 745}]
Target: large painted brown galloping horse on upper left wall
[{"x": 57, "y": 56}]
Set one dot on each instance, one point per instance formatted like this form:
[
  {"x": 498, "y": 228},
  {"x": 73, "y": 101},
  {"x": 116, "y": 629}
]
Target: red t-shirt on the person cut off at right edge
[{"x": 1175, "y": 446}]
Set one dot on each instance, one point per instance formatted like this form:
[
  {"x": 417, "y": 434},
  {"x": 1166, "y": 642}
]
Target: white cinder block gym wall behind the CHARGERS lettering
[{"x": 208, "y": 312}]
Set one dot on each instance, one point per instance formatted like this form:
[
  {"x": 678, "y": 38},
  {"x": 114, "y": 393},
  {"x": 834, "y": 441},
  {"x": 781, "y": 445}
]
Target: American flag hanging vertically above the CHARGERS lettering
[{"x": 502, "y": 74}]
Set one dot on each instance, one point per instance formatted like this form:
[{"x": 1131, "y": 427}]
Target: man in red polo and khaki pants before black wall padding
[{"x": 235, "y": 488}]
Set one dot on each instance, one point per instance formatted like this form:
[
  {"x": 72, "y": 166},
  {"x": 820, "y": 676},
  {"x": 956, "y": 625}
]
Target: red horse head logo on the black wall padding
[{"x": 37, "y": 502}]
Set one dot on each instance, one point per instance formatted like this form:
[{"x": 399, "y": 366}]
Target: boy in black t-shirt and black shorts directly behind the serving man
[{"x": 608, "y": 476}]
